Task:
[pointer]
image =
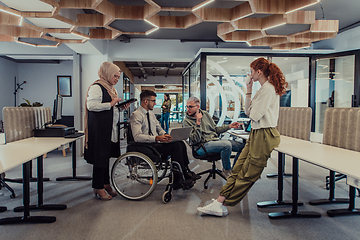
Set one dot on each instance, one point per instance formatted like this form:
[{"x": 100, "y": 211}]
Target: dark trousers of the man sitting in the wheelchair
[{"x": 177, "y": 151}]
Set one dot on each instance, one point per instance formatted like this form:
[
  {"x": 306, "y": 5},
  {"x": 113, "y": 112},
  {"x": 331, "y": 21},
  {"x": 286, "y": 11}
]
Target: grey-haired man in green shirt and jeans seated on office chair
[{"x": 205, "y": 131}]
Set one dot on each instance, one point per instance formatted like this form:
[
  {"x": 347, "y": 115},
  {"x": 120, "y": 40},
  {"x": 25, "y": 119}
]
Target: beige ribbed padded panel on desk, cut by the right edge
[{"x": 342, "y": 128}]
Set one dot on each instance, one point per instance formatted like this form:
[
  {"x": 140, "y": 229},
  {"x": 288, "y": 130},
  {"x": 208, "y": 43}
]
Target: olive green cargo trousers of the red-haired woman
[{"x": 250, "y": 164}]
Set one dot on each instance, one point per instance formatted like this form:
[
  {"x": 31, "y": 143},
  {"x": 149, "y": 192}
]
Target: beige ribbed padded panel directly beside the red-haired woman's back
[{"x": 295, "y": 122}]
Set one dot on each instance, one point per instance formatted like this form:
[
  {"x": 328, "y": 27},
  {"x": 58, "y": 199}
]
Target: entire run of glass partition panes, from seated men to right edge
[{"x": 224, "y": 75}]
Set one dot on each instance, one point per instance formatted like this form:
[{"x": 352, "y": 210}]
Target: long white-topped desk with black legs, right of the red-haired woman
[{"x": 333, "y": 158}]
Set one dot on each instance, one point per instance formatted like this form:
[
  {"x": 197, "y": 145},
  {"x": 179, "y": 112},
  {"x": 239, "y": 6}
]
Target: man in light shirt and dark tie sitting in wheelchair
[{"x": 145, "y": 128}]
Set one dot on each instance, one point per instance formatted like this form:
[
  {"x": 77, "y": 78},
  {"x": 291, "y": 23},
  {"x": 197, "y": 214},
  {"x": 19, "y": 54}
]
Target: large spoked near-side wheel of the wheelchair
[{"x": 134, "y": 176}]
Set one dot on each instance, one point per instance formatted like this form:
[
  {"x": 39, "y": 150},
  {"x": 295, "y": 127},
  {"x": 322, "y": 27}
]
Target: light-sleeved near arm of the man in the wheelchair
[{"x": 136, "y": 122}]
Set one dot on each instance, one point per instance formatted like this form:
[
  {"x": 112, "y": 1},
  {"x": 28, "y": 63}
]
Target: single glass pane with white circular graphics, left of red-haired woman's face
[{"x": 225, "y": 87}]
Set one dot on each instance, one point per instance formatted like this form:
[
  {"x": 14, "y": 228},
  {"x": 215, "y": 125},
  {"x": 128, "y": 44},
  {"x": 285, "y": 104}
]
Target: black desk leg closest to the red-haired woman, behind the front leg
[{"x": 280, "y": 201}]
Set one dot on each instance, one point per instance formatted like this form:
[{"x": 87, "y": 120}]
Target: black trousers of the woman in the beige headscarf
[{"x": 101, "y": 175}]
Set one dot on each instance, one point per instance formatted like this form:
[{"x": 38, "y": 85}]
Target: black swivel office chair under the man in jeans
[{"x": 210, "y": 157}]
